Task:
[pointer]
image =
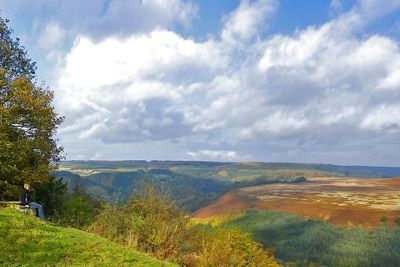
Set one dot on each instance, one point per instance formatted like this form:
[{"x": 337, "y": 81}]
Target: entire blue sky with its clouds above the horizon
[{"x": 227, "y": 80}]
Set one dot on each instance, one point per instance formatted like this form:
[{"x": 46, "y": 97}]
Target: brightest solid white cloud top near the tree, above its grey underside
[{"x": 160, "y": 55}]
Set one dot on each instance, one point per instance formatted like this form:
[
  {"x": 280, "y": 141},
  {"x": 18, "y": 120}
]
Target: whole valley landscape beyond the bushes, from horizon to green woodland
[{"x": 308, "y": 214}]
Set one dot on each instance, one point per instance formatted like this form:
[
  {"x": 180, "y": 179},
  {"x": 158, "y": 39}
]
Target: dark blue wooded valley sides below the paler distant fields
[{"x": 187, "y": 191}]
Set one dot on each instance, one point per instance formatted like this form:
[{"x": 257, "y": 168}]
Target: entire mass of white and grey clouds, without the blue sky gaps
[{"x": 322, "y": 88}]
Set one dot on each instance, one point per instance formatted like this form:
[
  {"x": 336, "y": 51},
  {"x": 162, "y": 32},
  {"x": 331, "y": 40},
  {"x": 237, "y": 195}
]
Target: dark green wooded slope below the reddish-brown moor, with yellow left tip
[{"x": 303, "y": 241}]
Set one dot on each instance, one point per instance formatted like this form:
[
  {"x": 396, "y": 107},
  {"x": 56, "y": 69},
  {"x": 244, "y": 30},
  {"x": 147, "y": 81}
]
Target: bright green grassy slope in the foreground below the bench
[{"x": 28, "y": 241}]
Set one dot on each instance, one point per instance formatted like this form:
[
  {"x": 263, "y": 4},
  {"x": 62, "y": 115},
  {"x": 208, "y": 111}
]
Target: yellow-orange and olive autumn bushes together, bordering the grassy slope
[{"x": 150, "y": 223}]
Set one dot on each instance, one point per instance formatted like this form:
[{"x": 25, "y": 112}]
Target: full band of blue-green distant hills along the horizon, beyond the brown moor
[{"x": 195, "y": 184}]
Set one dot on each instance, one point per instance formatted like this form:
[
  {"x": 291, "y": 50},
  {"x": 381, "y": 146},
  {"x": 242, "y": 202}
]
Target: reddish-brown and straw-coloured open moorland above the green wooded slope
[{"x": 343, "y": 201}]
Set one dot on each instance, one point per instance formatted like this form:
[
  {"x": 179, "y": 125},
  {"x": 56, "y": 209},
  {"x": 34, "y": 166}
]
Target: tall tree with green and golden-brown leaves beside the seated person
[{"x": 28, "y": 121}]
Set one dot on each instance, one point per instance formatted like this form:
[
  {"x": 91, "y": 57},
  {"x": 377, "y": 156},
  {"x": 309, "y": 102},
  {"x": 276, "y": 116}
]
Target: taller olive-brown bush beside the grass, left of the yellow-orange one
[{"x": 147, "y": 222}]
